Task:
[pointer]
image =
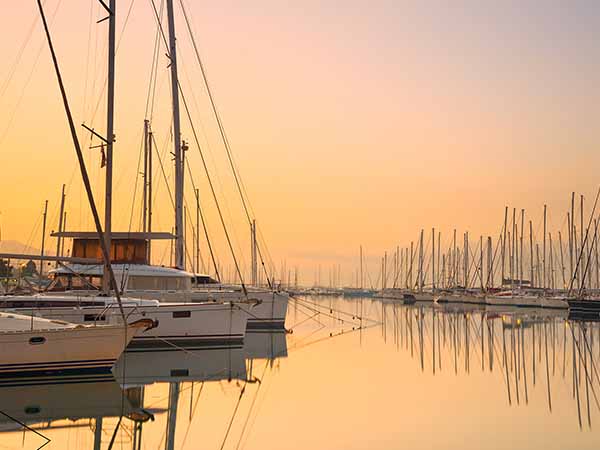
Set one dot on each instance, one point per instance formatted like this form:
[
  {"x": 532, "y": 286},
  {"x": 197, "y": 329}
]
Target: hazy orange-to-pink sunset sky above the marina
[{"x": 352, "y": 122}]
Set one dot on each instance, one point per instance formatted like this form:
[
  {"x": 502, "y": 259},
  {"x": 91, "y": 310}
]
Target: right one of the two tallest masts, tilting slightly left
[{"x": 176, "y": 140}]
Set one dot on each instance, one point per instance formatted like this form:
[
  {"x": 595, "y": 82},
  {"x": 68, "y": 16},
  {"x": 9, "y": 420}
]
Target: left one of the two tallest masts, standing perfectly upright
[{"x": 110, "y": 136}]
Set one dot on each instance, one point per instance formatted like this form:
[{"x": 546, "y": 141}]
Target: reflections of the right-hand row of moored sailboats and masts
[{"x": 536, "y": 347}]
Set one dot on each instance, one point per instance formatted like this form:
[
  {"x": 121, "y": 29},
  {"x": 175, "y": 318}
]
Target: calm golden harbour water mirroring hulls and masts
[{"x": 418, "y": 377}]
